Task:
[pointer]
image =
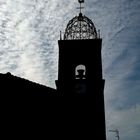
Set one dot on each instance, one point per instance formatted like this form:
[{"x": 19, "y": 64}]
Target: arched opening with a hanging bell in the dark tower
[{"x": 80, "y": 72}]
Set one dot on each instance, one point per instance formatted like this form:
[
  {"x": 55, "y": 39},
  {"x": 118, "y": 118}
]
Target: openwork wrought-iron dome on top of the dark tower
[{"x": 80, "y": 27}]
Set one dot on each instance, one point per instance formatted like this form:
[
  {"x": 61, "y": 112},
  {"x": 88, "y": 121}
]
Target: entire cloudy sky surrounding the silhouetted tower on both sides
[{"x": 29, "y": 30}]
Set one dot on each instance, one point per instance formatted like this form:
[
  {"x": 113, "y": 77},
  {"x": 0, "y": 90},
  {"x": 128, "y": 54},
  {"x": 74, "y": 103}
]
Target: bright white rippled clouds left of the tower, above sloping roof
[{"x": 28, "y": 38}]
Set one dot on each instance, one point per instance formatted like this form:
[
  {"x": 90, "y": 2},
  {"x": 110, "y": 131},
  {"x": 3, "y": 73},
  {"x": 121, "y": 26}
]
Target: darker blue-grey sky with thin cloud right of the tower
[{"x": 120, "y": 29}]
